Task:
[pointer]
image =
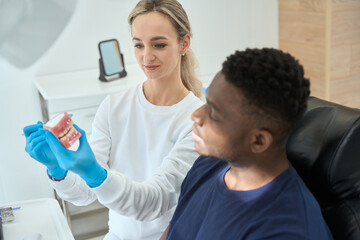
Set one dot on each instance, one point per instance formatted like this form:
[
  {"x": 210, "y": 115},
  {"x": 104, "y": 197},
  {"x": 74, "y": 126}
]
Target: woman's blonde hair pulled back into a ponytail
[{"x": 178, "y": 17}]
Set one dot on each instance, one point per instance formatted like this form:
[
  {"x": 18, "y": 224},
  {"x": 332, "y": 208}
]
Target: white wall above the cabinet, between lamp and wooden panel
[{"x": 219, "y": 28}]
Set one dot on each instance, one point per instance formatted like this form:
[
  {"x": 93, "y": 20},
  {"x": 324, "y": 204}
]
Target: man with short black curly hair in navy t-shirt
[{"x": 243, "y": 186}]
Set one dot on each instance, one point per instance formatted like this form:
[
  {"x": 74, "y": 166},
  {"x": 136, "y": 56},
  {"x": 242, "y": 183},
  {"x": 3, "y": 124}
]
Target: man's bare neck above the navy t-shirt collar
[{"x": 245, "y": 178}]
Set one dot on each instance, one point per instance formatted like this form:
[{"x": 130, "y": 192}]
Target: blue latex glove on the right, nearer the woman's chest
[{"x": 81, "y": 162}]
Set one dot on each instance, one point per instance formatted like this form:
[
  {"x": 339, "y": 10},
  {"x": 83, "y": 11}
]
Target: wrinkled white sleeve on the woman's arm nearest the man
[{"x": 150, "y": 199}]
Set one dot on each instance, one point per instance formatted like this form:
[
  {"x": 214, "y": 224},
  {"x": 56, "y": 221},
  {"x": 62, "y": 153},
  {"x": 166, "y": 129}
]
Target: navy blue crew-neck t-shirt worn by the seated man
[{"x": 207, "y": 209}]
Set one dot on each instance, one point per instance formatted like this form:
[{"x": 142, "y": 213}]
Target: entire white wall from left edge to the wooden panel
[{"x": 219, "y": 28}]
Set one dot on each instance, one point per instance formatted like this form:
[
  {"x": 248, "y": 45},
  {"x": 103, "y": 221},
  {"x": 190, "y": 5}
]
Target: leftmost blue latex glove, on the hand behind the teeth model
[{"x": 38, "y": 149}]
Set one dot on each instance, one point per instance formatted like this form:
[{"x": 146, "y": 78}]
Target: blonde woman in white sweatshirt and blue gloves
[{"x": 141, "y": 146}]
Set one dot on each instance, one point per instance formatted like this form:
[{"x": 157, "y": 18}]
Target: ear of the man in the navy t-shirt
[{"x": 261, "y": 140}]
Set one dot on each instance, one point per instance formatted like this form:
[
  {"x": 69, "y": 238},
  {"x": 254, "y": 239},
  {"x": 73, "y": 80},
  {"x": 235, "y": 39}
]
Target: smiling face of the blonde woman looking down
[{"x": 157, "y": 48}]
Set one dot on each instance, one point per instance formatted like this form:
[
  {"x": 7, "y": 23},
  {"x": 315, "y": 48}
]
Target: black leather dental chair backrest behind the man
[{"x": 324, "y": 148}]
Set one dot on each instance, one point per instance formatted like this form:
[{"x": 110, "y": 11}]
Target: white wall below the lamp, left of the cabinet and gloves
[{"x": 20, "y": 177}]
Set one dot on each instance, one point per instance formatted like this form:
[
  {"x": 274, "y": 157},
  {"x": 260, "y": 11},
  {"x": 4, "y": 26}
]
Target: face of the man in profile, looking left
[{"x": 221, "y": 129}]
